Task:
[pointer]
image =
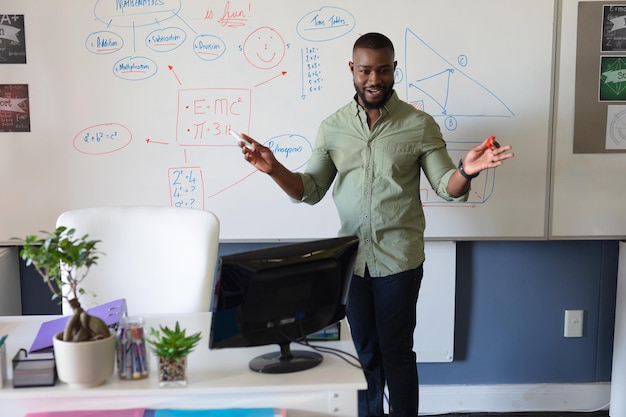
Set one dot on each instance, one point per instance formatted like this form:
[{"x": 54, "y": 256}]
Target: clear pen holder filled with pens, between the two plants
[{"x": 132, "y": 360}]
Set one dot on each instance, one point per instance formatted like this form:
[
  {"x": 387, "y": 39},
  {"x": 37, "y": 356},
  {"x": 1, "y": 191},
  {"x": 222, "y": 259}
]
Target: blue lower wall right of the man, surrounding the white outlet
[{"x": 510, "y": 301}]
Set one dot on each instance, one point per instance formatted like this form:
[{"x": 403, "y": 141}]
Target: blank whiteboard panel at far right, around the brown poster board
[{"x": 588, "y": 197}]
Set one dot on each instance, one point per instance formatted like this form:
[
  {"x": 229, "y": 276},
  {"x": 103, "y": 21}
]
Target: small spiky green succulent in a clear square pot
[{"x": 172, "y": 346}]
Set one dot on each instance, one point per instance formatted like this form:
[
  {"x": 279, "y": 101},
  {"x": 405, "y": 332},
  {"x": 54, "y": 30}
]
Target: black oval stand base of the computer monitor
[{"x": 285, "y": 361}]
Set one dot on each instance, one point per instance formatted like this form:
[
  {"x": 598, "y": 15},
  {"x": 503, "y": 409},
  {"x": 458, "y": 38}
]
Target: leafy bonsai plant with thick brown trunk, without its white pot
[{"x": 63, "y": 261}]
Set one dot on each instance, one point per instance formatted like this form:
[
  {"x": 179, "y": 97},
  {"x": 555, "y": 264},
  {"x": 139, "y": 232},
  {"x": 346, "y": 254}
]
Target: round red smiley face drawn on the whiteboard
[{"x": 264, "y": 48}]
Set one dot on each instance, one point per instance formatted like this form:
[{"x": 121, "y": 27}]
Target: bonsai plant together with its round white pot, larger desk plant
[{"x": 63, "y": 261}]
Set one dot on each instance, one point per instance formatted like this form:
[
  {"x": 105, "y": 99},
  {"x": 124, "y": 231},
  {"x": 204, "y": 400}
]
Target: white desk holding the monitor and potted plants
[{"x": 216, "y": 379}]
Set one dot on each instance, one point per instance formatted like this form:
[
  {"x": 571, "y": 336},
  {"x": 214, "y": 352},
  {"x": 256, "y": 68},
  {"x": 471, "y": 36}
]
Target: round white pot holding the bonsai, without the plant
[{"x": 84, "y": 364}]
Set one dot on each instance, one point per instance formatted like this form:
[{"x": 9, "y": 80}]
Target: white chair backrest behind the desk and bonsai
[{"x": 160, "y": 259}]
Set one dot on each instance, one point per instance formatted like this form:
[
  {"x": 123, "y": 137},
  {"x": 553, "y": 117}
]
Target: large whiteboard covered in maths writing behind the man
[{"x": 129, "y": 103}]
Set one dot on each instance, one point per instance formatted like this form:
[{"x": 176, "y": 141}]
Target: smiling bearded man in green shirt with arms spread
[{"x": 374, "y": 148}]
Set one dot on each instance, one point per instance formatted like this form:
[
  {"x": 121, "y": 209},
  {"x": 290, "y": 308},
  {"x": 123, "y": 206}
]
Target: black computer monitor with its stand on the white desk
[{"x": 279, "y": 295}]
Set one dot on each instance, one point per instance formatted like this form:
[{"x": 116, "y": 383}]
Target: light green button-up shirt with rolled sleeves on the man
[{"x": 377, "y": 180}]
